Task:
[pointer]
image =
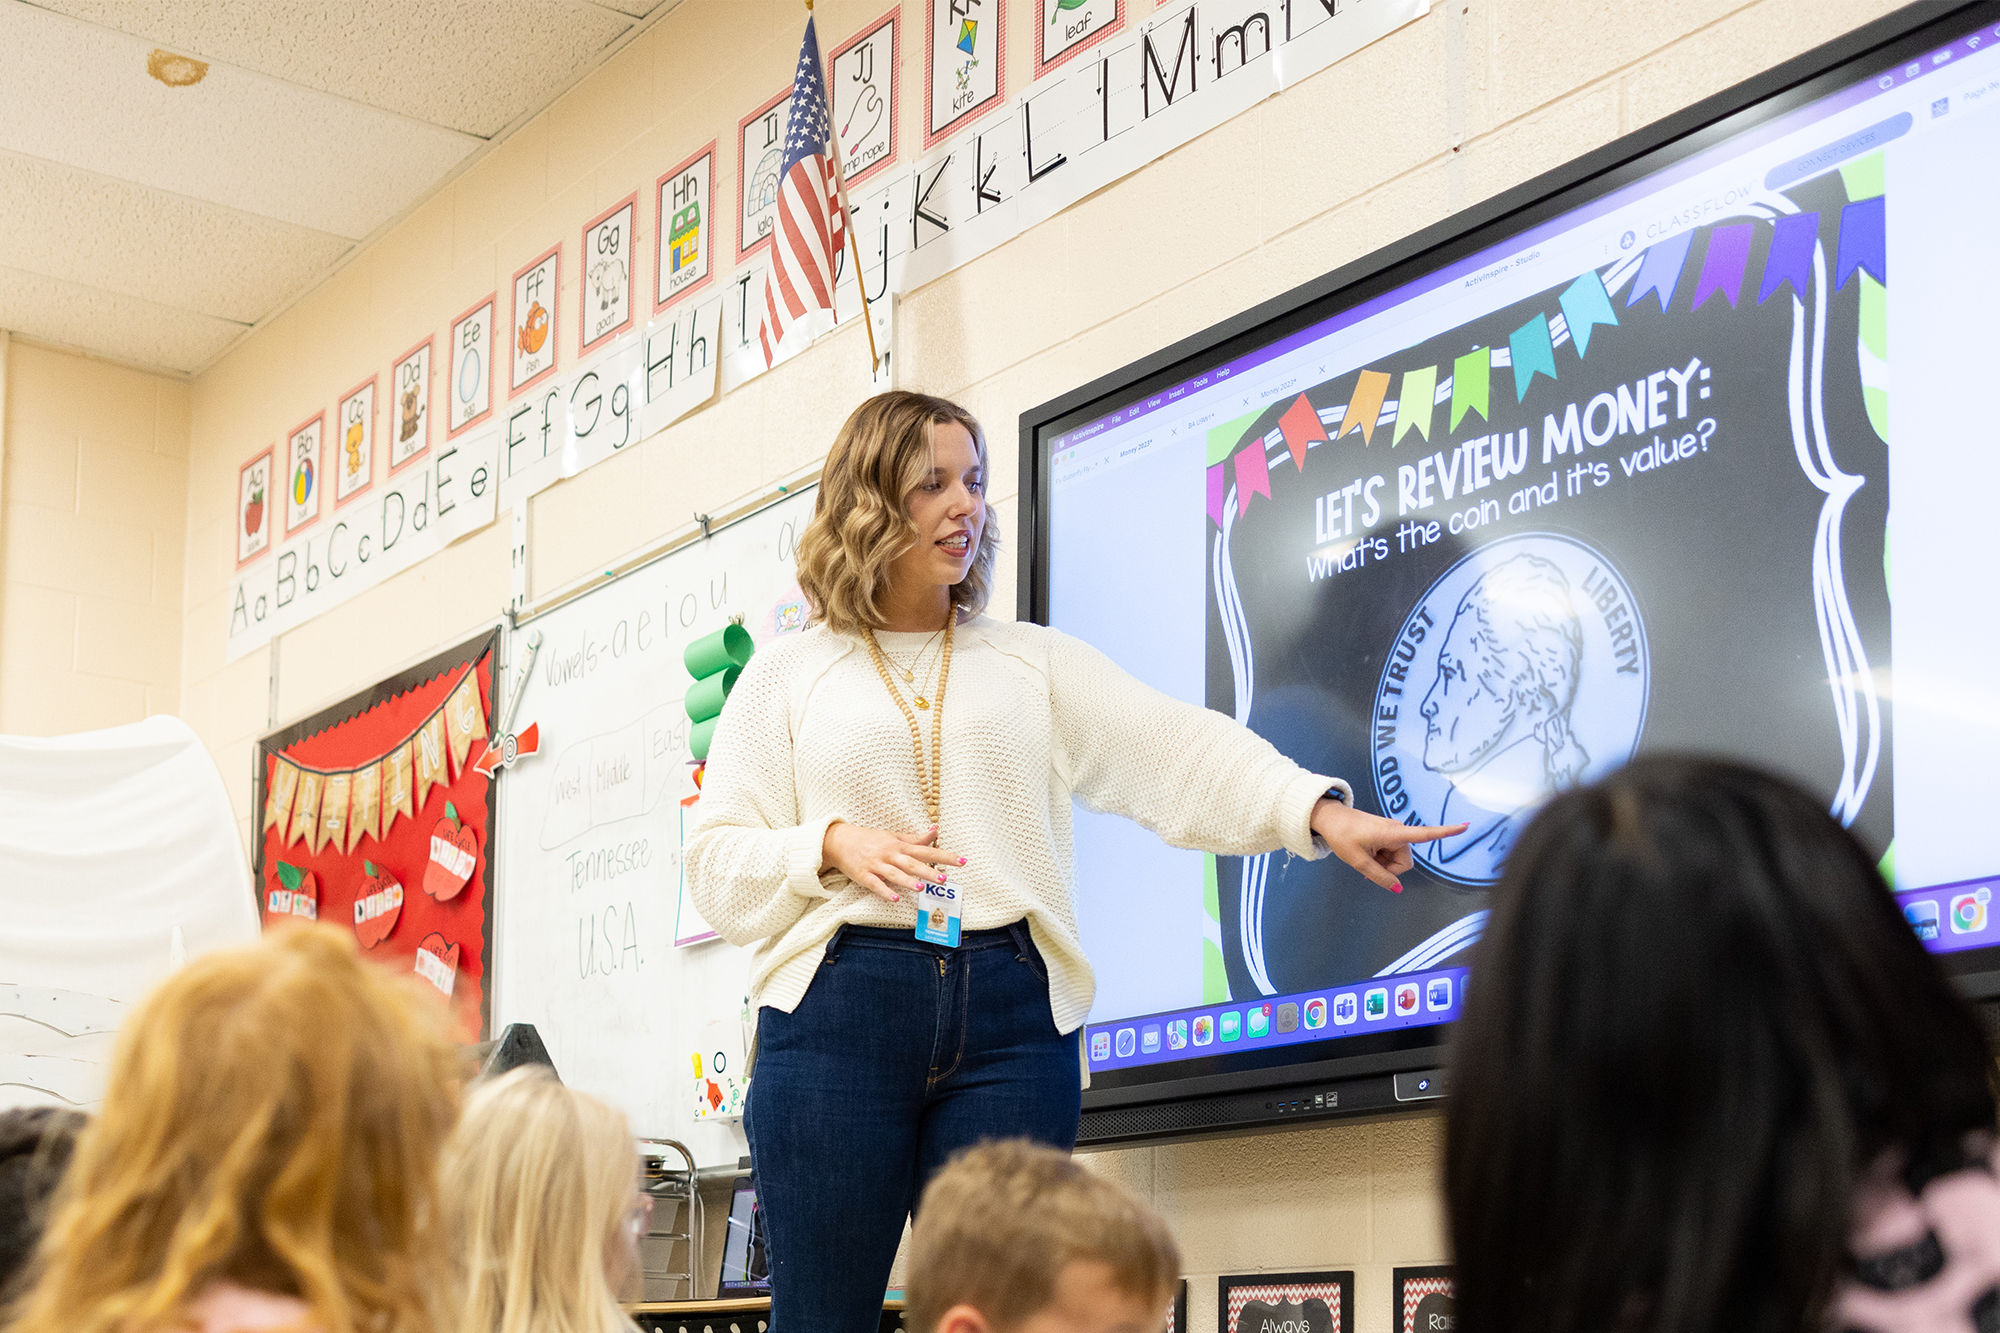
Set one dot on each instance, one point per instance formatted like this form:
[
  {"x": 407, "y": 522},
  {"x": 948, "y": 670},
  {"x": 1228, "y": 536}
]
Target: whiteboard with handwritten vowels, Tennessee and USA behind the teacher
[{"x": 589, "y": 880}]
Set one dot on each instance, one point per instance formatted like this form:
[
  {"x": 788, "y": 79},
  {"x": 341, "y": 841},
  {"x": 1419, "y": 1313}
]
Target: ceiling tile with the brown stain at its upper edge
[{"x": 81, "y": 95}]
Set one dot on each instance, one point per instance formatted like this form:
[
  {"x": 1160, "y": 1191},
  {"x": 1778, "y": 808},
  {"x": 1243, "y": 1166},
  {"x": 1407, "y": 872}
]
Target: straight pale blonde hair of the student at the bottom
[{"x": 539, "y": 1184}]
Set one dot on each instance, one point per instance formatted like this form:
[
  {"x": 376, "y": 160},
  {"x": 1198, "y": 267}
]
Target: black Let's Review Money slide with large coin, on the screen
[{"x": 1497, "y": 563}]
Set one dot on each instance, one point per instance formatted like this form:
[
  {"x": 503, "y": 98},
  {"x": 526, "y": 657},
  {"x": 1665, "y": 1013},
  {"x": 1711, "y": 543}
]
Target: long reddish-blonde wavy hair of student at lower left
[{"x": 273, "y": 1118}]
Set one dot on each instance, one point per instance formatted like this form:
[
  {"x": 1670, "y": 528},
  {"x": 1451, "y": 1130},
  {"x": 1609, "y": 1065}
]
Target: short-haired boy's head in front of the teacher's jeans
[{"x": 1015, "y": 1238}]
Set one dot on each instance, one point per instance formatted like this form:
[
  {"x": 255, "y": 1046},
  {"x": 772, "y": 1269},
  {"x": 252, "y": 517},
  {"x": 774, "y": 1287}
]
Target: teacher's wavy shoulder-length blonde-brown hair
[{"x": 861, "y": 523}]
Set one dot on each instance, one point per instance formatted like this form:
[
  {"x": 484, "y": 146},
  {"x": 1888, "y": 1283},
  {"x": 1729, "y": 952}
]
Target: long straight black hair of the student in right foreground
[{"x": 1697, "y": 1016}]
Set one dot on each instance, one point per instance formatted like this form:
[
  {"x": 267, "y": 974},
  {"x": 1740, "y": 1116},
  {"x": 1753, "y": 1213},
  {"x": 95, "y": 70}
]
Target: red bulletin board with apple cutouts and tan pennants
[{"x": 331, "y": 832}]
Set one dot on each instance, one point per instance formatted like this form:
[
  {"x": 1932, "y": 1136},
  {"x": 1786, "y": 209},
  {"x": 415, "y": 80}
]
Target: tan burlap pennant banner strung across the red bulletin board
[{"x": 341, "y": 806}]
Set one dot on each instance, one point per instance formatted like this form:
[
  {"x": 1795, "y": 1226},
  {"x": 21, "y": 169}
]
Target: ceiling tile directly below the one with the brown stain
[{"x": 147, "y": 243}]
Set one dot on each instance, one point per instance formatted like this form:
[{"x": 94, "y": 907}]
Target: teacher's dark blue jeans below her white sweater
[{"x": 899, "y": 1056}]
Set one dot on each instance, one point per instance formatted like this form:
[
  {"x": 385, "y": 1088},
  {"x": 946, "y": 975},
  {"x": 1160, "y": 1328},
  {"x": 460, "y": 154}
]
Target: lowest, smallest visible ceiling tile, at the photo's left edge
[{"x": 121, "y": 327}]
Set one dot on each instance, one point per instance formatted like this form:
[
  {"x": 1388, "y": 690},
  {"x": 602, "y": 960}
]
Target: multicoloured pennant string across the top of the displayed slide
[{"x": 1585, "y": 305}]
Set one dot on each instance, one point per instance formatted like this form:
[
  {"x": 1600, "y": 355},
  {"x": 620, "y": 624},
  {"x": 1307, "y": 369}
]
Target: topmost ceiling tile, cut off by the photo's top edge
[{"x": 469, "y": 65}]
